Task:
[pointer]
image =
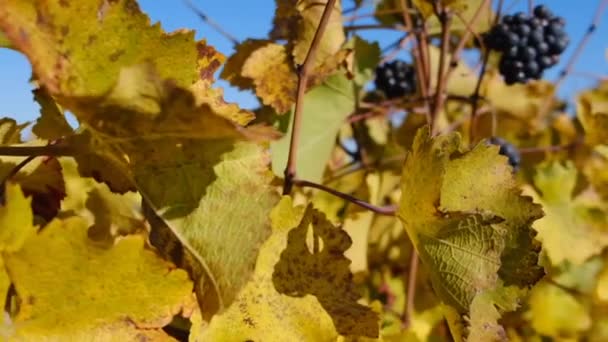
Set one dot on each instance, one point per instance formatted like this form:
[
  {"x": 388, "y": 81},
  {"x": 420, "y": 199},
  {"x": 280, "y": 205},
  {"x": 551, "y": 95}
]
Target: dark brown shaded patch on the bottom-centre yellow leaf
[{"x": 319, "y": 268}]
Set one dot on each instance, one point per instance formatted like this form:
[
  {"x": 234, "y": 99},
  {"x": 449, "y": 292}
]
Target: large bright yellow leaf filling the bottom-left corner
[{"x": 111, "y": 293}]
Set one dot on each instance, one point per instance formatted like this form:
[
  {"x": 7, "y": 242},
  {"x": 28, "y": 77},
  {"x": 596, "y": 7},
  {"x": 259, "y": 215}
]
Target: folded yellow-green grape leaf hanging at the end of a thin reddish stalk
[{"x": 470, "y": 225}]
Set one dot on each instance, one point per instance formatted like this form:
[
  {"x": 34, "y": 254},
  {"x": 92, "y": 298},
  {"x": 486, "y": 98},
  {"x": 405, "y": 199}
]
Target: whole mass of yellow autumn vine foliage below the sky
[{"x": 160, "y": 216}]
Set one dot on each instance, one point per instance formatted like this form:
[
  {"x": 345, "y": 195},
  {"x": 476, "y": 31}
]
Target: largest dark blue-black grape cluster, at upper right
[{"x": 530, "y": 44}]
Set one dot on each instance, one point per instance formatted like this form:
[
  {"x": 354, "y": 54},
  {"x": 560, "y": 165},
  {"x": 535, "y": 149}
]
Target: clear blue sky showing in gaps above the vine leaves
[{"x": 247, "y": 18}]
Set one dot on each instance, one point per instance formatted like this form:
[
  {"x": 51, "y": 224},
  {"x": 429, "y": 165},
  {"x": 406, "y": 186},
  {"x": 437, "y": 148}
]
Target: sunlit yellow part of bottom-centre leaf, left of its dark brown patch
[{"x": 260, "y": 312}]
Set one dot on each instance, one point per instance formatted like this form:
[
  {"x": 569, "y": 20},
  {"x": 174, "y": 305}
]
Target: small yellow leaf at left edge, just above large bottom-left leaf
[{"x": 16, "y": 219}]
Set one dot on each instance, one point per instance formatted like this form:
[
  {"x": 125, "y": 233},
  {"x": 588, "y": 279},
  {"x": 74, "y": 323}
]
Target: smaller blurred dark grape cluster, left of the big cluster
[{"x": 396, "y": 79}]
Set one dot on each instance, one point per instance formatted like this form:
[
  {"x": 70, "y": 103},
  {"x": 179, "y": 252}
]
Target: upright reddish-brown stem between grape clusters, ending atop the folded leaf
[{"x": 445, "y": 20}]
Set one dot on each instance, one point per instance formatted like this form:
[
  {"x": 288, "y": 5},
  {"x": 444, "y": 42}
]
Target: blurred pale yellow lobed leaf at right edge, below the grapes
[{"x": 573, "y": 229}]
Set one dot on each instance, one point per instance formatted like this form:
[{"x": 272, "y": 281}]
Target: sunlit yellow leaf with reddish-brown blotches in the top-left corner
[{"x": 84, "y": 44}]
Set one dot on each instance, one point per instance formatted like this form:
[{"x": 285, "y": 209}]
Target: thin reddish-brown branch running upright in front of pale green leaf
[{"x": 290, "y": 168}]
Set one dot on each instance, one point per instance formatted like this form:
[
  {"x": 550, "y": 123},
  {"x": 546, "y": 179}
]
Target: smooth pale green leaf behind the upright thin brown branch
[{"x": 325, "y": 108}]
